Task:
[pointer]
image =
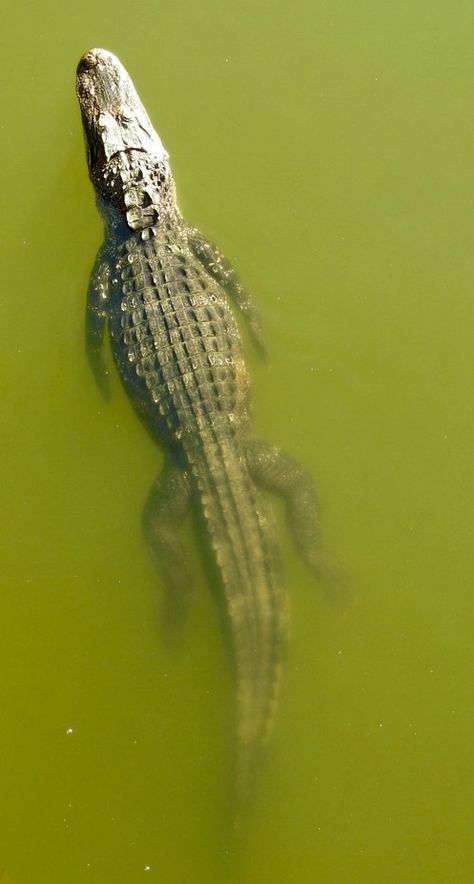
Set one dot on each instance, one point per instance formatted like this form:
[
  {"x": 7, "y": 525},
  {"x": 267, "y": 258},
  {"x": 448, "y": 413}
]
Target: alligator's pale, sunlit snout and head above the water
[{"x": 113, "y": 116}]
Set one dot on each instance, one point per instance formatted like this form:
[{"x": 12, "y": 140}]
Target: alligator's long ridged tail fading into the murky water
[{"x": 242, "y": 542}]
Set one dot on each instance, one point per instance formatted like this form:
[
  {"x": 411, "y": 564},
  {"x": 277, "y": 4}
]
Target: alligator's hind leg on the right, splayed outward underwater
[{"x": 273, "y": 470}]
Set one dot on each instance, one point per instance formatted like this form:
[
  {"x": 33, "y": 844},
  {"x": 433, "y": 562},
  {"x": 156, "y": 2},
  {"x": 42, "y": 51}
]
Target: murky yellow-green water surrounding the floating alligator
[{"x": 329, "y": 149}]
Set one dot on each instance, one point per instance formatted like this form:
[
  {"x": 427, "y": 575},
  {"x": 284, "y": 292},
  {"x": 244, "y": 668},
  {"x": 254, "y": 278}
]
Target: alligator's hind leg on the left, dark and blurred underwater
[{"x": 165, "y": 510}]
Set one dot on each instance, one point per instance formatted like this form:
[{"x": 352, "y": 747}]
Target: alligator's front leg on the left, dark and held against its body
[{"x": 96, "y": 314}]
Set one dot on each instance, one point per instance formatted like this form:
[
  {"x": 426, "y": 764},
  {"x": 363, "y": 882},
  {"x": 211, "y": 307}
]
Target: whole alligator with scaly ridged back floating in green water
[{"x": 165, "y": 292}]
